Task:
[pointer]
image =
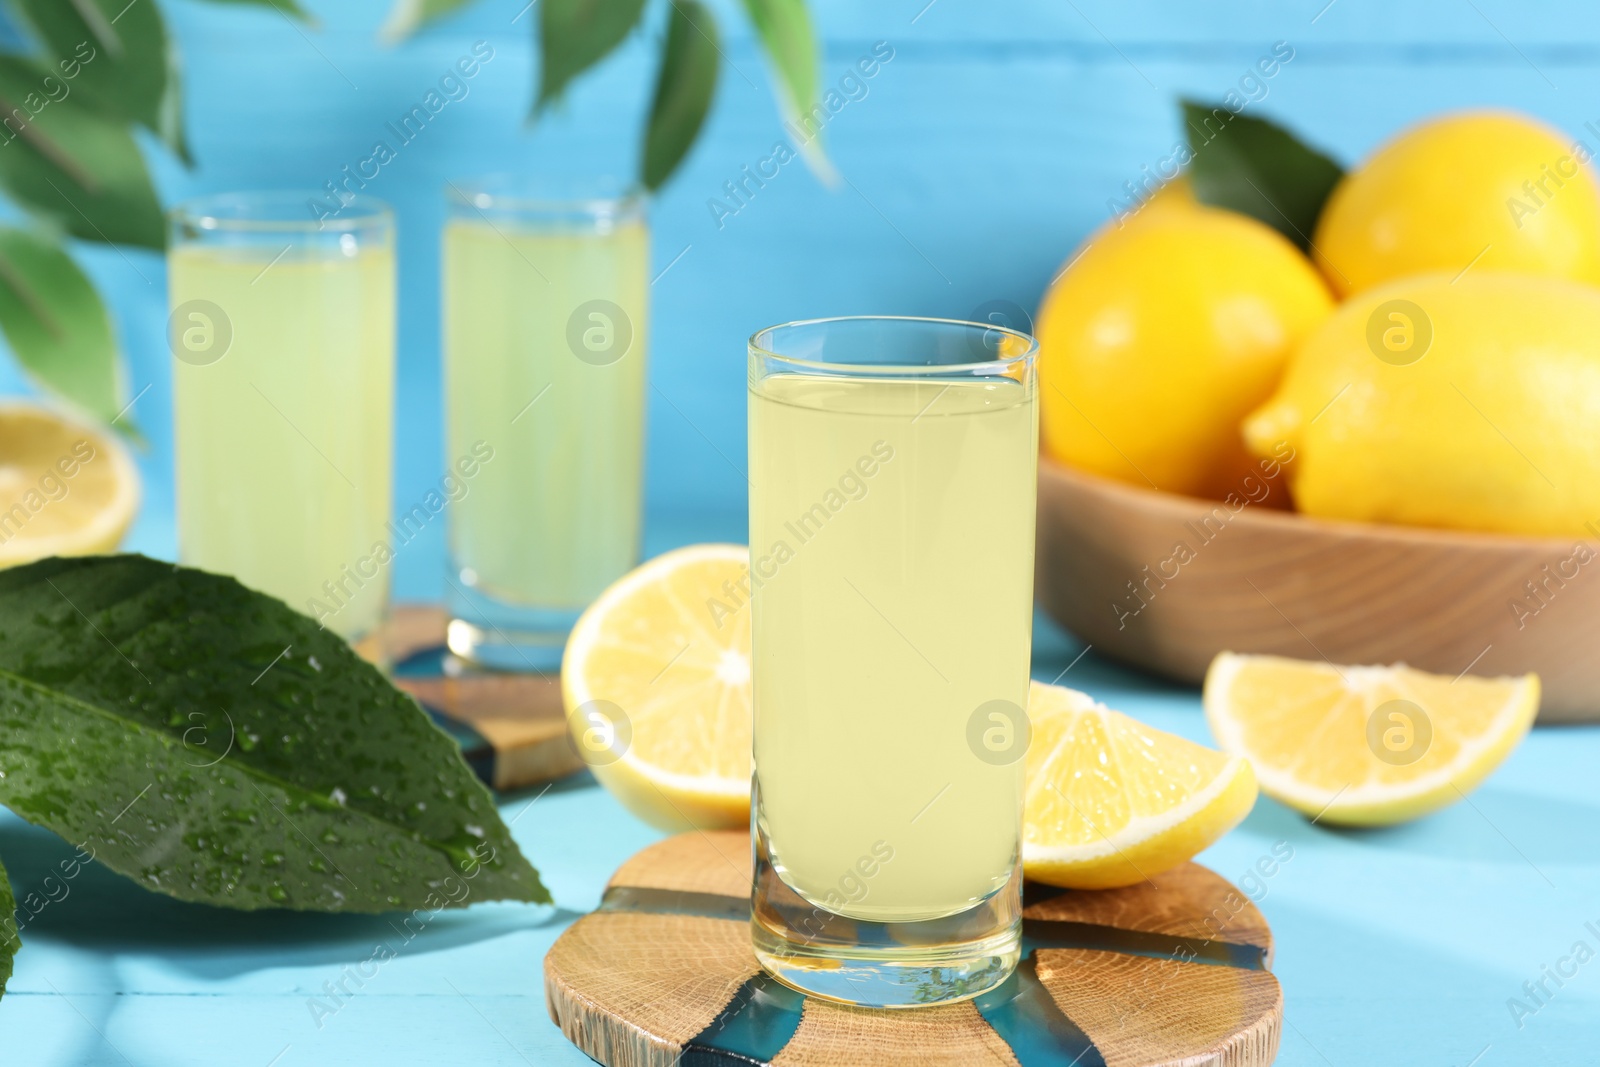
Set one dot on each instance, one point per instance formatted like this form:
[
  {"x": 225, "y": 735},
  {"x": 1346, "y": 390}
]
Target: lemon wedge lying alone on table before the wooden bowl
[{"x": 1366, "y": 746}]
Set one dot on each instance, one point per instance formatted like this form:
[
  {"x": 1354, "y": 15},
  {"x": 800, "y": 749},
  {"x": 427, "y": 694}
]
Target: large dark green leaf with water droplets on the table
[{"x": 214, "y": 745}]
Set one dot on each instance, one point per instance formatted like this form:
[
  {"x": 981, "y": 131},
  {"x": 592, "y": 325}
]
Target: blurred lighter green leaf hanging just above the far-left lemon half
[{"x": 55, "y": 322}]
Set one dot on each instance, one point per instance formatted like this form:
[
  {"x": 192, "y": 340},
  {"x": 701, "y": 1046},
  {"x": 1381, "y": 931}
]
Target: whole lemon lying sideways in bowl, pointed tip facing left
[{"x": 1470, "y": 406}]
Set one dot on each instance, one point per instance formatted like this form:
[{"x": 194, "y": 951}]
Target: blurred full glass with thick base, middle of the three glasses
[{"x": 545, "y": 329}]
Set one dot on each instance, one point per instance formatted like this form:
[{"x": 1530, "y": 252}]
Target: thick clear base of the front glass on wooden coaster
[{"x": 884, "y": 964}]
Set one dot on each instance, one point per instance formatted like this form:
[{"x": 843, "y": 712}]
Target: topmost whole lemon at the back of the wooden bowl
[{"x": 1482, "y": 190}]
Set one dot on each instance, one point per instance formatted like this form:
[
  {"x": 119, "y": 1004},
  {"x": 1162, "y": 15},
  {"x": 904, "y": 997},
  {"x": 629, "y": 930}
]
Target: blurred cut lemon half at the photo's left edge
[{"x": 65, "y": 489}]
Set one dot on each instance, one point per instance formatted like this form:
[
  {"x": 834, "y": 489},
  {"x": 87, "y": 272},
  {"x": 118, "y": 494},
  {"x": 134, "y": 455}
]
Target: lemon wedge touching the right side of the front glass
[{"x": 1111, "y": 802}]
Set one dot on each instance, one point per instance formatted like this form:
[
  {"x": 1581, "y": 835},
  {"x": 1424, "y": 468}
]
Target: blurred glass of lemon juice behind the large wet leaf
[{"x": 284, "y": 338}]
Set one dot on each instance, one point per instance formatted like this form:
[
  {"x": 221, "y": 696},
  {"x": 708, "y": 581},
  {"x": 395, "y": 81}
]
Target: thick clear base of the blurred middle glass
[{"x": 490, "y": 633}]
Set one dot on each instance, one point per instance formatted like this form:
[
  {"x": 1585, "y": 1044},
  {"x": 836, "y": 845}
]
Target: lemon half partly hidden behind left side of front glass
[{"x": 657, "y": 682}]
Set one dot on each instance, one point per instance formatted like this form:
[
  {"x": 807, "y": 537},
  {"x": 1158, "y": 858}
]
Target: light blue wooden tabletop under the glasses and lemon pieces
[{"x": 1394, "y": 946}]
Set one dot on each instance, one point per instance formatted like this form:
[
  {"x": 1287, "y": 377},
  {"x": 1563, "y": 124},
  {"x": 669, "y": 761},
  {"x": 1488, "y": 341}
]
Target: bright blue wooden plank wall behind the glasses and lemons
[{"x": 983, "y": 153}]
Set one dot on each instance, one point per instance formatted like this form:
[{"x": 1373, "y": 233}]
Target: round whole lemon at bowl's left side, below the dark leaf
[{"x": 1161, "y": 337}]
